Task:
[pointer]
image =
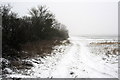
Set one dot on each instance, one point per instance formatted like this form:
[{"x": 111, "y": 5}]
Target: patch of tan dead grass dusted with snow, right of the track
[{"x": 109, "y": 48}]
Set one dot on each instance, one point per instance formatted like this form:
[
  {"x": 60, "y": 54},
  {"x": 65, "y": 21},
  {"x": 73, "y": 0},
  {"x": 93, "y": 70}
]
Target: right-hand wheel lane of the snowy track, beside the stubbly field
[{"x": 90, "y": 65}]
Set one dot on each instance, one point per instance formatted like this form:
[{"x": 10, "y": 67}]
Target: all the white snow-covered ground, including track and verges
[{"x": 73, "y": 61}]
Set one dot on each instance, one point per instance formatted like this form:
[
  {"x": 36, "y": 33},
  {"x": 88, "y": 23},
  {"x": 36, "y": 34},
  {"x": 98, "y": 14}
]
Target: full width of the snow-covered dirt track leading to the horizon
[{"x": 80, "y": 63}]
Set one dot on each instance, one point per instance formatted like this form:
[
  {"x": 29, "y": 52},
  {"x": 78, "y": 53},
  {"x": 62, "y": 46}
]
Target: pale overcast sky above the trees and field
[{"x": 95, "y": 17}]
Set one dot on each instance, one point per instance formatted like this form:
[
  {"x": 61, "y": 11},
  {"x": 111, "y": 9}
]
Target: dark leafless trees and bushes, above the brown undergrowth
[{"x": 40, "y": 24}]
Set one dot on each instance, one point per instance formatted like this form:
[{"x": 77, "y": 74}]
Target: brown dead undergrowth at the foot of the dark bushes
[{"x": 41, "y": 48}]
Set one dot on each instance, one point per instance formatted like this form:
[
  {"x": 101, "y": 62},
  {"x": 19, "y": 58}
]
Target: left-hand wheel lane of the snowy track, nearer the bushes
[{"x": 67, "y": 62}]
